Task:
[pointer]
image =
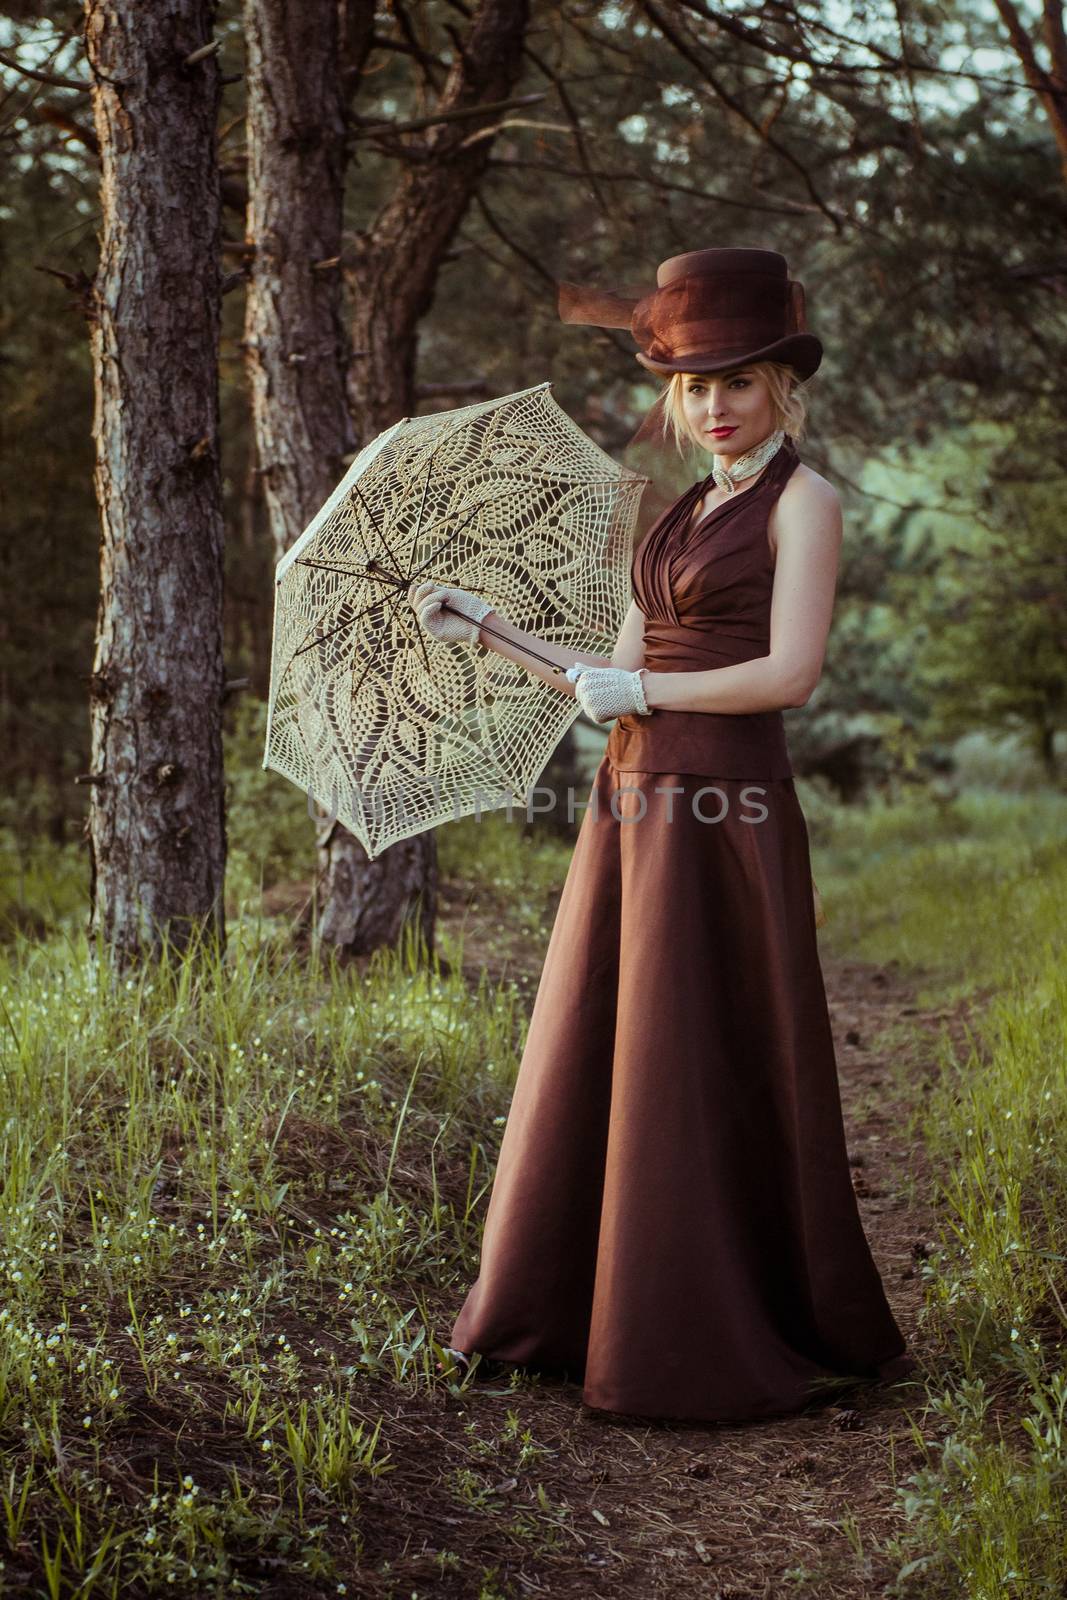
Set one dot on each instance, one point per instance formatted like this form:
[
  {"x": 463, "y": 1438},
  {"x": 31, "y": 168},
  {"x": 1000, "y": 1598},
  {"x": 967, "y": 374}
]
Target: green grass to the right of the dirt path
[{"x": 975, "y": 895}]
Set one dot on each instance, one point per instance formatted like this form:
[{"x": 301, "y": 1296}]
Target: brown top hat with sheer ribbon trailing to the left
[{"x": 711, "y": 310}]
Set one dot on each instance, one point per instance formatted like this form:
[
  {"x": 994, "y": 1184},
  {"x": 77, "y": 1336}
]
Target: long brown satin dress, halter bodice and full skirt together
[{"x": 673, "y": 1220}]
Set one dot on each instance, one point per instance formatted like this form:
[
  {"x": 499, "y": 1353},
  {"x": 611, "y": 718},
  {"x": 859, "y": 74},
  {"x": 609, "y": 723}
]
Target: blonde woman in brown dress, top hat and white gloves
[{"x": 673, "y": 1220}]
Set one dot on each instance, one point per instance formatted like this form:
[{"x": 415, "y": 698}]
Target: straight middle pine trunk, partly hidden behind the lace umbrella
[{"x": 297, "y": 351}]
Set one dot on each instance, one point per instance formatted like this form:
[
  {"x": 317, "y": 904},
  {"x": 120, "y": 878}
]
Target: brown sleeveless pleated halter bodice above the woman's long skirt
[{"x": 706, "y": 598}]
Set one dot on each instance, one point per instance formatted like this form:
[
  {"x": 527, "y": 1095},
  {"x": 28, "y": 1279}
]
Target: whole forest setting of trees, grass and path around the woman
[{"x": 242, "y": 1186}]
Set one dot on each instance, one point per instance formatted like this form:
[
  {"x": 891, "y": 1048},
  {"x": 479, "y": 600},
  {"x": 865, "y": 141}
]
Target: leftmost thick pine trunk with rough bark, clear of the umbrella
[{"x": 158, "y": 828}]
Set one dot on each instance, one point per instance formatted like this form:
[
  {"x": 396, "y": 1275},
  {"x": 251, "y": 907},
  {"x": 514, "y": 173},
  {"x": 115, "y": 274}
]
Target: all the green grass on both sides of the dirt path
[{"x": 241, "y": 1206}]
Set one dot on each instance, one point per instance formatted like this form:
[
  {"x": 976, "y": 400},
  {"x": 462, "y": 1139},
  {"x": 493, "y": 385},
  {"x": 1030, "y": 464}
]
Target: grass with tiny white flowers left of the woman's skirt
[{"x": 238, "y": 1199}]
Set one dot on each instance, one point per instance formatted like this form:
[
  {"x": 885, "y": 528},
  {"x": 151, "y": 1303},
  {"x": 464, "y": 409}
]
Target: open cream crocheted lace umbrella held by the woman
[{"x": 394, "y": 732}]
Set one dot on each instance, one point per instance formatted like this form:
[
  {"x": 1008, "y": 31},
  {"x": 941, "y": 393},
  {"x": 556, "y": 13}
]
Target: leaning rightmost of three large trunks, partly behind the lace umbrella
[{"x": 391, "y": 282}]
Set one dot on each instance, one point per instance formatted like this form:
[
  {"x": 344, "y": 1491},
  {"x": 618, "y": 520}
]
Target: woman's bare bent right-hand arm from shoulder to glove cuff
[{"x": 809, "y": 524}]
